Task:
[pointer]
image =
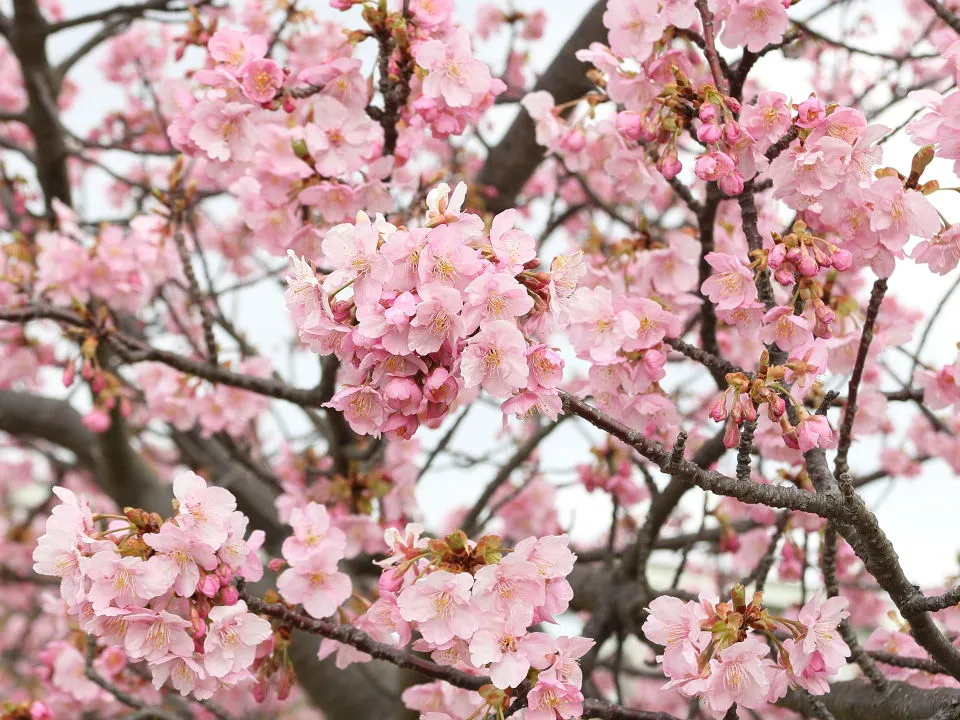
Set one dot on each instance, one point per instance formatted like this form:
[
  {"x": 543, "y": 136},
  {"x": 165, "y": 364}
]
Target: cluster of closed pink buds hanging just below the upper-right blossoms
[{"x": 801, "y": 254}]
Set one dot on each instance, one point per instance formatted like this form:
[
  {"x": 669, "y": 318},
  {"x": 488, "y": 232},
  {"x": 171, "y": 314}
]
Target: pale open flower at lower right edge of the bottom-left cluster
[{"x": 232, "y": 639}]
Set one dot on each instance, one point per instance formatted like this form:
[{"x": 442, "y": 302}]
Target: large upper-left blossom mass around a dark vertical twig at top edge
[{"x": 308, "y": 124}]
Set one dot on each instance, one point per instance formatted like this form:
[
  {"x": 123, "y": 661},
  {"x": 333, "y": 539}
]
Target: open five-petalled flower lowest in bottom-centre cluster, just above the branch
[{"x": 509, "y": 650}]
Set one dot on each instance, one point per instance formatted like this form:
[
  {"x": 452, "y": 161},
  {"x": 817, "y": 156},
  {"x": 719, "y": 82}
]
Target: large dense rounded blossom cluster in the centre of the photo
[{"x": 433, "y": 312}]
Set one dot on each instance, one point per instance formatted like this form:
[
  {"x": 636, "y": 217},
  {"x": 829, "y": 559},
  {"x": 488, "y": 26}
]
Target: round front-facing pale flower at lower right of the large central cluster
[{"x": 494, "y": 359}]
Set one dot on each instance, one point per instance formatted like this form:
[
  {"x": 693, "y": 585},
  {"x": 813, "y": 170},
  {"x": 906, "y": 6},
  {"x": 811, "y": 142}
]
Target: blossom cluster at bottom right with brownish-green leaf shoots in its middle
[{"x": 720, "y": 651}]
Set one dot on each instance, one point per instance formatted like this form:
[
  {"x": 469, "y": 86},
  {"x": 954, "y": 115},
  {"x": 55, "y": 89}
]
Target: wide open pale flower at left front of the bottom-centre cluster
[{"x": 440, "y": 604}]
